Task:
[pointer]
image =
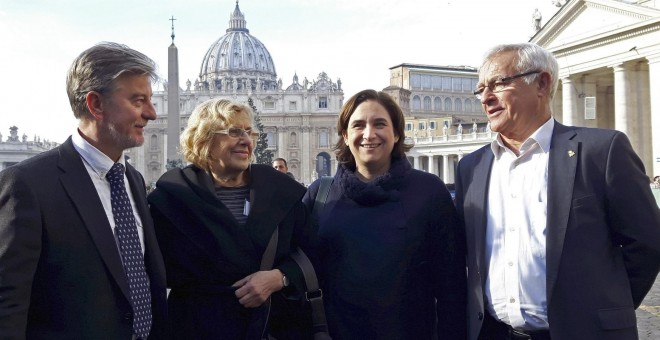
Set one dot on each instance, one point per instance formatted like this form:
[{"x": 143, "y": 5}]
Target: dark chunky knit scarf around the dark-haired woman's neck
[{"x": 384, "y": 188}]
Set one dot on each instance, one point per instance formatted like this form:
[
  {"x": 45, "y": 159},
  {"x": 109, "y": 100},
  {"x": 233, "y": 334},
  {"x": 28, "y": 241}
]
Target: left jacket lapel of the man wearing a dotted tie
[{"x": 81, "y": 190}]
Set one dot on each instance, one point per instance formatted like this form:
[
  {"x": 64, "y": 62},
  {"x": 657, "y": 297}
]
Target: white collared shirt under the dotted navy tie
[{"x": 98, "y": 164}]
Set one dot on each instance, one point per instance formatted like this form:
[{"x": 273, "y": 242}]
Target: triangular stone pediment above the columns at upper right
[{"x": 579, "y": 20}]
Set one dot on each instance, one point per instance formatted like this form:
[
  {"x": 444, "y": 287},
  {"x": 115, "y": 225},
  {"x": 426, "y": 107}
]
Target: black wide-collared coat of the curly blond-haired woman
[{"x": 206, "y": 250}]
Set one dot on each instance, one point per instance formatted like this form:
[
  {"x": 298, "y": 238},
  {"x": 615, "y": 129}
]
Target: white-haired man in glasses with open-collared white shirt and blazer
[{"x": 562, "y": 230}]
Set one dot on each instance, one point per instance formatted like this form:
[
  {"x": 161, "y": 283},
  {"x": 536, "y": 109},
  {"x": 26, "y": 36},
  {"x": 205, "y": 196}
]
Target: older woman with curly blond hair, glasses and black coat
[{"x": 214, "y": 221}]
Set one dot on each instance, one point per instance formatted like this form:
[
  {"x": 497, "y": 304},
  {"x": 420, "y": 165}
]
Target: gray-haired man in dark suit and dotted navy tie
[{"x": 61, "y": 270}]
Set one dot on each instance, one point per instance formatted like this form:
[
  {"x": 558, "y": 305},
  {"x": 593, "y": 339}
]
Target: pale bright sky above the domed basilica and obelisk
[{"x": 355, "y": 40}]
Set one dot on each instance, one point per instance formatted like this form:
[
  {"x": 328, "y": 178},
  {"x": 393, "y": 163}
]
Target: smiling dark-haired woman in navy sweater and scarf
[{"x": 391, "y": 255}]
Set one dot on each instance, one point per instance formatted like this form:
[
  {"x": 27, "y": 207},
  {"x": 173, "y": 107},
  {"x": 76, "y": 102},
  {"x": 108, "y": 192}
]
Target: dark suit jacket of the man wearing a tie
[{"x": 61, "y": 275}]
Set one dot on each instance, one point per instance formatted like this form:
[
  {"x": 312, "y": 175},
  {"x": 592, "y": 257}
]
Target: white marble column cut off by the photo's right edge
[{"x": 654, "y": 87}]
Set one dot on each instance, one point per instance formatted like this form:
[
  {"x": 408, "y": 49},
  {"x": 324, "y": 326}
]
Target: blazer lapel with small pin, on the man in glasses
[{"x": 562, "y": 165}]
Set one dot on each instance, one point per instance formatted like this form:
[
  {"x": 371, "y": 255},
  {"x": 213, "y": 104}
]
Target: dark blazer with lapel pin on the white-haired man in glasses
[{"x": 602, "y": 236}]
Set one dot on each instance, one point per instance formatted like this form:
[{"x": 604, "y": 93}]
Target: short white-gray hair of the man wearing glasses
[{"x": 530, "y": 57}]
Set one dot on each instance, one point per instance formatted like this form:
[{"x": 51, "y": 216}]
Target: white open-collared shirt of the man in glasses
[{"x": 516, "y": 232}]
